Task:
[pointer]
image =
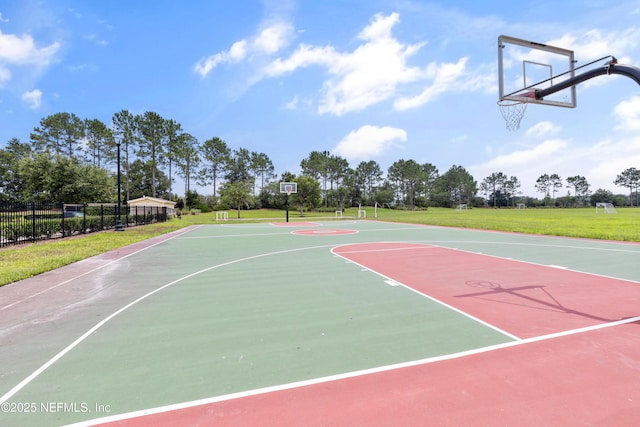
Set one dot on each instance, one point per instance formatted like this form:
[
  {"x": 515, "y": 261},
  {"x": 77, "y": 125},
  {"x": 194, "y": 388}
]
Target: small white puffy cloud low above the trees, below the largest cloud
[{"x": 368, "y": 141}]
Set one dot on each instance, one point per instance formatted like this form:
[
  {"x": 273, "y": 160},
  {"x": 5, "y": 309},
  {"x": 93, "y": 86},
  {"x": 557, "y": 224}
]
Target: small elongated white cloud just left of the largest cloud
[{"x": 267, "y": 42}]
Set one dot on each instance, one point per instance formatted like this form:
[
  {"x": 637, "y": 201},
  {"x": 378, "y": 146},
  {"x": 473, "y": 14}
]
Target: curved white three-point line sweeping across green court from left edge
[{"x": 74, "y": 344}]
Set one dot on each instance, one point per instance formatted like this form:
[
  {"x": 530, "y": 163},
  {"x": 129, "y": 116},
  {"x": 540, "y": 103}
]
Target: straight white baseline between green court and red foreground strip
[{"x": 347, "y": 375}]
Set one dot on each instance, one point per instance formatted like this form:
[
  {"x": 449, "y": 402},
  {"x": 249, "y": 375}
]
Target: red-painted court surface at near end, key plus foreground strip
[{"x": 575, "y": 359}]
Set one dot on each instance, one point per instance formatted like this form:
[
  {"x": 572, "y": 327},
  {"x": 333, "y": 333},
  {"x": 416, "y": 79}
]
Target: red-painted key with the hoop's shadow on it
[{"x": 523, "y": 299}]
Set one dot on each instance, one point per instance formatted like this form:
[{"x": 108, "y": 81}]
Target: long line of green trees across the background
[{"x": 69, "y": 160}]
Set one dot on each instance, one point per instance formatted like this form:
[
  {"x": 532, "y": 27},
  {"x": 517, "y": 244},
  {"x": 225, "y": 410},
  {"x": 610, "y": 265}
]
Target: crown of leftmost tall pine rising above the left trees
[{"x": 60, "y": 133}]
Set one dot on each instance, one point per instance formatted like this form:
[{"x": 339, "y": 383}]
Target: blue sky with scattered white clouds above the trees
[{"x": 380, "y": 80}]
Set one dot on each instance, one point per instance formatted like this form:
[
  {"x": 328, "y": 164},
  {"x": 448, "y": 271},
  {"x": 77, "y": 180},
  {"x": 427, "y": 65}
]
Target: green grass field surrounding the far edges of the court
[{"x": 28, "y": 260}]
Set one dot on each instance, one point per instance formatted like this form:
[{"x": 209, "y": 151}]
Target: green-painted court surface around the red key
[{"x": 223, "y": 309}]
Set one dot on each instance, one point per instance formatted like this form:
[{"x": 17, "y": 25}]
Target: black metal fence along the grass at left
[{"x": 31, "y": 222}]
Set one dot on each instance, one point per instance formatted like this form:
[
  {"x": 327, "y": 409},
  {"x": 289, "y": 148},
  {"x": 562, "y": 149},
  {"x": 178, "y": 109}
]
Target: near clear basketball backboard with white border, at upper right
[{"x": 524, "y": 66}]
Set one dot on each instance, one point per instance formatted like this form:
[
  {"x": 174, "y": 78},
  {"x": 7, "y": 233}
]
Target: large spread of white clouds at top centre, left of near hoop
[{"x": 374, "y": 71}]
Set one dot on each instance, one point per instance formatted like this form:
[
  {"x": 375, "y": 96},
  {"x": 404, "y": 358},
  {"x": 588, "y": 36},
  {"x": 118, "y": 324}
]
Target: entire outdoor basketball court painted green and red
[{"x": 338, "y": 323}]
